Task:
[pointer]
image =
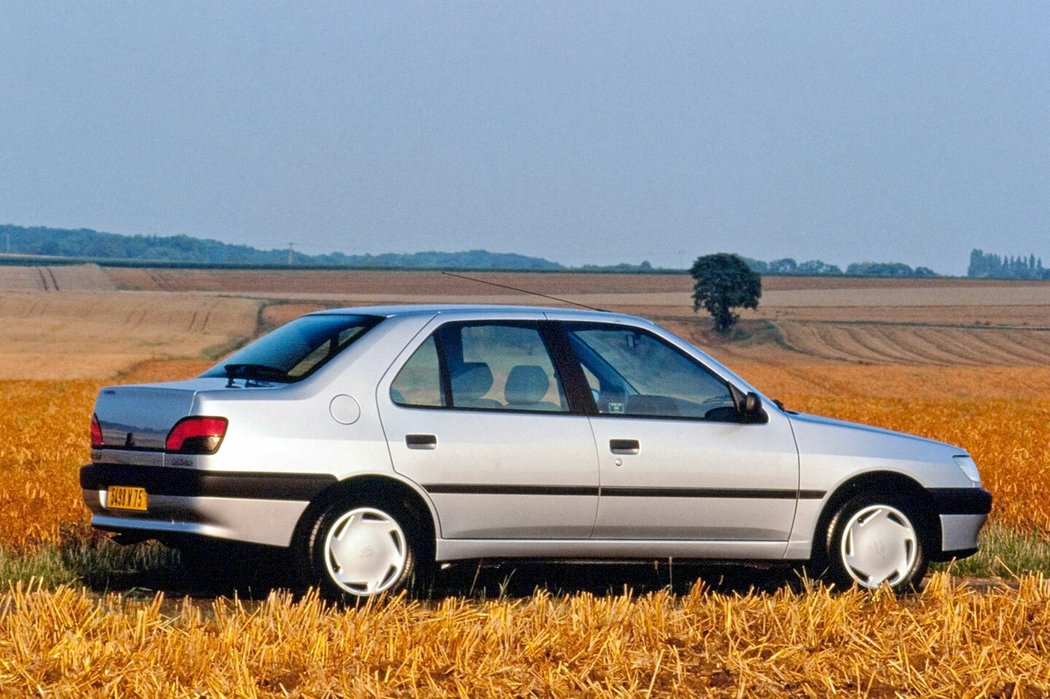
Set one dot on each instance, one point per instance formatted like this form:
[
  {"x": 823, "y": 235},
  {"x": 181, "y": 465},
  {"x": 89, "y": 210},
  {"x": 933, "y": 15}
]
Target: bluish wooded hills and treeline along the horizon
[{"x": 113, "y": 249}]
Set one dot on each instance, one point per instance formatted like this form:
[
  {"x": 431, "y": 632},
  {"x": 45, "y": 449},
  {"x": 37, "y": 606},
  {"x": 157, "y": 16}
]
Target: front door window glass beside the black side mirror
[{"x": 634, "y": 373}]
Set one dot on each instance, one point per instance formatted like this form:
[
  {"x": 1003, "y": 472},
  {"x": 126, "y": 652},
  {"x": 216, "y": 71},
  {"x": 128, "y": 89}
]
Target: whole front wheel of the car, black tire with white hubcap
[{"x": 874, "y": 542}]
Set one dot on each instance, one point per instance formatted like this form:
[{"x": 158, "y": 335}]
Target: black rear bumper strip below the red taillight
[{"x": 193, "y": 483}]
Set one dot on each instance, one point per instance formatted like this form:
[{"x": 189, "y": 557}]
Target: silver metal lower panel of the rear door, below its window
[{"x": 501, "y": 476}]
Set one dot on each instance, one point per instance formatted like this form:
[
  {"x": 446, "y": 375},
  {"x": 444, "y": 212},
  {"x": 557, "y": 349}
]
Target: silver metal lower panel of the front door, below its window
[{"x": 696, "y": 480}]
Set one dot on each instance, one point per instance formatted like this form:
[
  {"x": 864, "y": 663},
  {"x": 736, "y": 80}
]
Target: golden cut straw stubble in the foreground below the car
[{"x": 949, "y": 642}]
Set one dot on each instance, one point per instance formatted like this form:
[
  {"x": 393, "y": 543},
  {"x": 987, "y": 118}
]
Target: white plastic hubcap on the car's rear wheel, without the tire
[{"x": 366, "y": 552}]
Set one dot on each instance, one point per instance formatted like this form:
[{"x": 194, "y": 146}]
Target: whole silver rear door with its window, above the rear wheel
[{"x": 479, "y": 418}]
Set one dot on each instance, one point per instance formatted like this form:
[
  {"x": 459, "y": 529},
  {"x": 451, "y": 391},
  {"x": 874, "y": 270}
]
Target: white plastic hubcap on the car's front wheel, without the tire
[{"x": 879, "y": 545}]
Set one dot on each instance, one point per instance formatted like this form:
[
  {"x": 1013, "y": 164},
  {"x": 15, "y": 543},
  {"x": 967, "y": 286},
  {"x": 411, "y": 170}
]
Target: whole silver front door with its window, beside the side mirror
[{"x": 677, "y": 461}]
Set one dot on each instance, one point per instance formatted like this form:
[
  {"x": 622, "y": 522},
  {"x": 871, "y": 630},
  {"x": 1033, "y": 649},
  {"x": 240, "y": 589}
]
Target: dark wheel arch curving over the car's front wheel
[{"x": 883, "y": 483}]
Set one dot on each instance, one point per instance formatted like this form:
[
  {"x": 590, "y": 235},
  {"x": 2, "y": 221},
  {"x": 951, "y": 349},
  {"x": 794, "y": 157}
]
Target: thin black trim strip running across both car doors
[{"x": 472, "y": 490}]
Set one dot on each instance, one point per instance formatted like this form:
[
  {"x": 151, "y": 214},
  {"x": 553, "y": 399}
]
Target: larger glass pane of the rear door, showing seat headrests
[{"x": 501, "y": 368}]
